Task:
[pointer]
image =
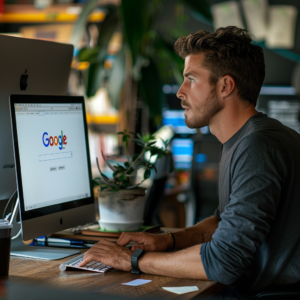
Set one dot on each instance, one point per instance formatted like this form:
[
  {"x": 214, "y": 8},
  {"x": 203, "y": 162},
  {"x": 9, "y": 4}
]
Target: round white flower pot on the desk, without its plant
[{"x": 122, "y": 210}]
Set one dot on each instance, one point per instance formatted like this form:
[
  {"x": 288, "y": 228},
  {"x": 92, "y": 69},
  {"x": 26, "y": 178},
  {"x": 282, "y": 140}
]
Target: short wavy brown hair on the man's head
[{"x": 228, "y": 51}]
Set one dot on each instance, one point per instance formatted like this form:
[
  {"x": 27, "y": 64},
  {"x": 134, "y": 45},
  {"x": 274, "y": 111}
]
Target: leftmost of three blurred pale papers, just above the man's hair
[{"x": 226, "y": 14}]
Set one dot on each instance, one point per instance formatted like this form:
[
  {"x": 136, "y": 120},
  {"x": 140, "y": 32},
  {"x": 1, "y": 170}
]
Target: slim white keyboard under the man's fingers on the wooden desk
[{"x": 93, "y": 266}]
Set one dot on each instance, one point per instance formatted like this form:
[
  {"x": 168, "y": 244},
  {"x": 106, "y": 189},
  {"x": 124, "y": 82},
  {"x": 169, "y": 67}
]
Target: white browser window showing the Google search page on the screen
[{"x": 53, "y": 153}]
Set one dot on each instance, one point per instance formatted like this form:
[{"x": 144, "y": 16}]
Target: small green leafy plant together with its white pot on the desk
[{"x": 121, "y": 199}]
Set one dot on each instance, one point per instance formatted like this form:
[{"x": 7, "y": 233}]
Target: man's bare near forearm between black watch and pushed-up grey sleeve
[{"x": 183, "y": 264}]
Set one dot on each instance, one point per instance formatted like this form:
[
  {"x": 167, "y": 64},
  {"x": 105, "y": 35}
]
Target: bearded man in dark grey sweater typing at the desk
[{"x": 252, "y": 241}]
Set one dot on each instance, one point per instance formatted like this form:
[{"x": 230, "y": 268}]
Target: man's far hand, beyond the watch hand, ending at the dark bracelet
[{"x": 147, "y": 241}]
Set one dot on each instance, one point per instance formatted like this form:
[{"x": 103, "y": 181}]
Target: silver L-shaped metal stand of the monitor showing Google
[{"x": 18, "y": 248}]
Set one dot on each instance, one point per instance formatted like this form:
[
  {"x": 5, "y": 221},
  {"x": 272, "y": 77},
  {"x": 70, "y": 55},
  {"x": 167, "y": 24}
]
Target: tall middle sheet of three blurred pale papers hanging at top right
[{"x": 255, "y": 12}]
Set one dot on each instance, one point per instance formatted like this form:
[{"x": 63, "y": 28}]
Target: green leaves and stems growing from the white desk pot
[{"x": 123, "y": 174}]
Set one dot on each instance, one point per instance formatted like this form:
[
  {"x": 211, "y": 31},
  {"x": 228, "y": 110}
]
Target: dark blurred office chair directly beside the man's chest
[{"x": 203, "y": 192}]
